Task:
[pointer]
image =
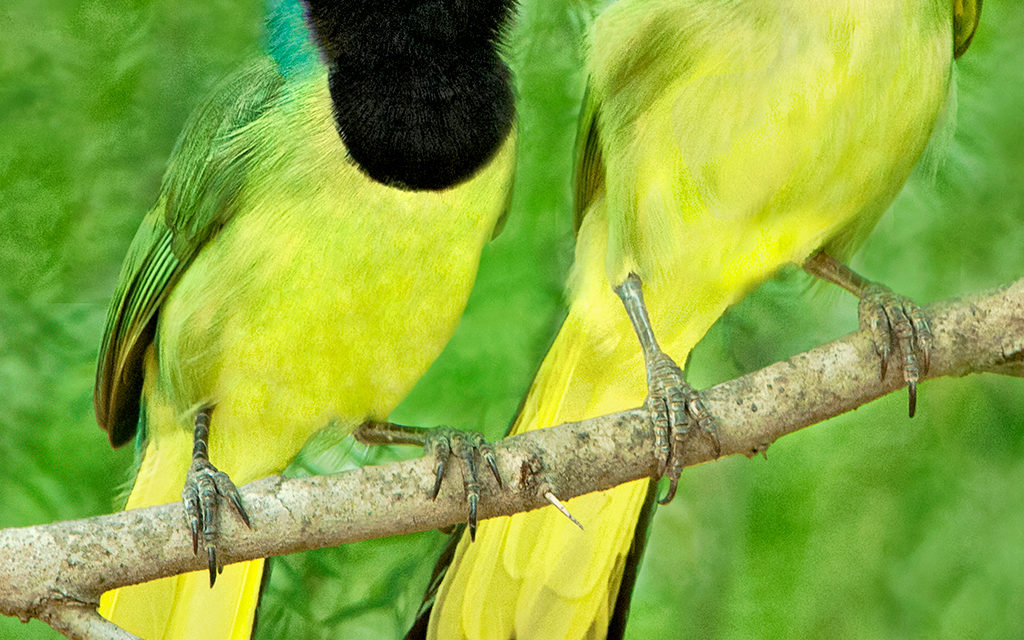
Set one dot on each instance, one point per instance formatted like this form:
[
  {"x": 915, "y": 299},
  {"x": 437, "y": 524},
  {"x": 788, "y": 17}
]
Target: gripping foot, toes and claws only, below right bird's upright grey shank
[{"x": 675, "y": 409}]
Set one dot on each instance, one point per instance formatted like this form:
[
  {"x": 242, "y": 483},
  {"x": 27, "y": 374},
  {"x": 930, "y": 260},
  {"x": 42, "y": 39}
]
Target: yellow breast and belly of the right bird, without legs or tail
[{"x": 740, "y": 137}]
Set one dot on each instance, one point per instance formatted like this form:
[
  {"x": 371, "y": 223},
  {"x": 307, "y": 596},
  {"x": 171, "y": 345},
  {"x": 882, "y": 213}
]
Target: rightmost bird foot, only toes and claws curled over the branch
[{"x": 897, "y": 322}]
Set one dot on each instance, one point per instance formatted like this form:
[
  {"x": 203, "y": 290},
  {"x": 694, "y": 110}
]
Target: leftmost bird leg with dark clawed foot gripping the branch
[{"x": 205, "y": 487}]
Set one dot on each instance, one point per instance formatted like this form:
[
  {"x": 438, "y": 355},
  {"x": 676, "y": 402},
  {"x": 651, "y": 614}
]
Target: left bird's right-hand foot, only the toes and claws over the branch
[{"x": 443, "y": 443}]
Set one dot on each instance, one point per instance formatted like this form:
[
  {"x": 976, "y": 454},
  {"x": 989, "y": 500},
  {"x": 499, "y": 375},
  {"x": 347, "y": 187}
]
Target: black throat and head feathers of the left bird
[{"x": 421, "y": 96}]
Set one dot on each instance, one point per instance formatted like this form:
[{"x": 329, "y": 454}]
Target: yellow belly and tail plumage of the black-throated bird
[{"x": 322, "y": 302}]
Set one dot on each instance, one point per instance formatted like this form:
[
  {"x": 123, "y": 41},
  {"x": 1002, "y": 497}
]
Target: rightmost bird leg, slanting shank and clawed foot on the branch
[{"x": 891, "y": 320}]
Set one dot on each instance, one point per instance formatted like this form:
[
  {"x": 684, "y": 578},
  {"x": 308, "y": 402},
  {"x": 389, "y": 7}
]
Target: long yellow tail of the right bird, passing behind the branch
[{"x": 536, "y": 575}]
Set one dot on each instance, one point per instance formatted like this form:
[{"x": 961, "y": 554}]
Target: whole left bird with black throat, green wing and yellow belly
[{"x": 295, "y": 273}]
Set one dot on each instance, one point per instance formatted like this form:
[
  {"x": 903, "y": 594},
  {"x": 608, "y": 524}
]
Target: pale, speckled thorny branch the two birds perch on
[{"x": 58, "y": 572}]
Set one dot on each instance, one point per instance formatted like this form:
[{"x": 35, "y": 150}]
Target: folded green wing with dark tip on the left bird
[{"x": 200, "y": 195}]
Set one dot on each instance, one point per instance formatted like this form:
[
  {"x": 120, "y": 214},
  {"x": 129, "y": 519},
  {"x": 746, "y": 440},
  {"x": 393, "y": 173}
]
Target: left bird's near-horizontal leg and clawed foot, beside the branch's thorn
[{"x": 443, "y": 444}]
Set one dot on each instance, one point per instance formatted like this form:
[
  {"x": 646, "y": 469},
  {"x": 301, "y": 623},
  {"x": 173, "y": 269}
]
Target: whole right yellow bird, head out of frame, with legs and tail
[{"x": 720, "y": 141}]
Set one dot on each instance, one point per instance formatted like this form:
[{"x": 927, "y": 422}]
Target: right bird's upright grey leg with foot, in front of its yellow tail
[{"x": 675, "y": 407}]
